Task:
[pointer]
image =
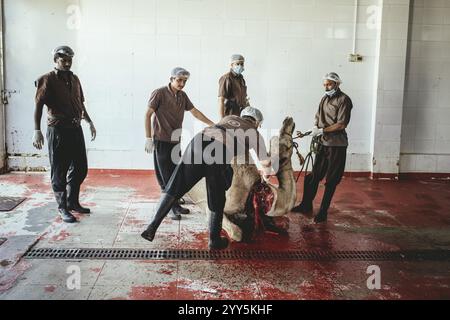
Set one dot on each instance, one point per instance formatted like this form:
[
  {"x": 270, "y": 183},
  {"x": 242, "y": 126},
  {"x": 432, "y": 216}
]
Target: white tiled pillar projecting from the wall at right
[{"x": 390, "y": 82}]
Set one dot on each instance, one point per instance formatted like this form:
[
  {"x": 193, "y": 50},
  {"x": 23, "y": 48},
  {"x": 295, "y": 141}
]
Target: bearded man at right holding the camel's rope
[{"x": 332, "y": 119}]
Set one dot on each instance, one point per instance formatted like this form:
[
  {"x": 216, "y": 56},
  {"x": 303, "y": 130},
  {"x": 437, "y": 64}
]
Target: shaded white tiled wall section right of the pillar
[{"x": 426, "y": 120}]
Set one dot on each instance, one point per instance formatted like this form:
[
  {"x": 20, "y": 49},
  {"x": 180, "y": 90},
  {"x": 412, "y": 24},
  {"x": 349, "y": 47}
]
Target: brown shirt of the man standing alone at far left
[{"x": 63, "y": 95}]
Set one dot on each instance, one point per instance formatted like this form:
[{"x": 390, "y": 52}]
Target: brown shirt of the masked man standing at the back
[{"x": 233, "y": 88}]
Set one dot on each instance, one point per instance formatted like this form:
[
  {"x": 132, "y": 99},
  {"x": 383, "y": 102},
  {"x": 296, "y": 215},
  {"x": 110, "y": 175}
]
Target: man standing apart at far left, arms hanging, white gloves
[{"x": 60, "y": 90}]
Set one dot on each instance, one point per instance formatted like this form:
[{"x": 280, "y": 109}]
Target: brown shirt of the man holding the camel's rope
[{"x": 334, "y": 110}]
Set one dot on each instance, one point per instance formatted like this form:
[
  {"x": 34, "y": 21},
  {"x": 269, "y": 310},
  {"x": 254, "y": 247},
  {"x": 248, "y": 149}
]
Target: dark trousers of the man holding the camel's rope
[{"x": 329, "y": 163}]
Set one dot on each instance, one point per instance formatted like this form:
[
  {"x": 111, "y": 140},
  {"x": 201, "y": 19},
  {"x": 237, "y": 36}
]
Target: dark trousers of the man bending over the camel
[{"x": 197, "y": 164}]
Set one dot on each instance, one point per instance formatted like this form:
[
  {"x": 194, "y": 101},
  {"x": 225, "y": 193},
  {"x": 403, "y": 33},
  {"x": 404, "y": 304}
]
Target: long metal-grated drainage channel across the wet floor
[{"x": 140, "y": 254}]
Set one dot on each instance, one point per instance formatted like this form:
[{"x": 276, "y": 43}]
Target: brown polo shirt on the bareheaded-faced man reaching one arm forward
[{"x": 169, "y": 111}]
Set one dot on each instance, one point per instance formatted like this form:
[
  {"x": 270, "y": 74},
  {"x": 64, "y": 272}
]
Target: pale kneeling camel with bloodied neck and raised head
[{"x": 244, "y": 179}]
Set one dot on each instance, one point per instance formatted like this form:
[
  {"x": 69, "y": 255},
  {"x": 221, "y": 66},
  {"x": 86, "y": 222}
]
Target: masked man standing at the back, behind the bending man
[{"x": 233, "y": 89}]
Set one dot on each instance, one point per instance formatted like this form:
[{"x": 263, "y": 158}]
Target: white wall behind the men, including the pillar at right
[{"x": 125, "y": 49}]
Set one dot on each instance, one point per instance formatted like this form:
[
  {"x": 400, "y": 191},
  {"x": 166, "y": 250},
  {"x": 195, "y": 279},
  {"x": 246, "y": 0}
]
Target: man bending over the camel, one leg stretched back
[{"x": 209, "y": 156}]
